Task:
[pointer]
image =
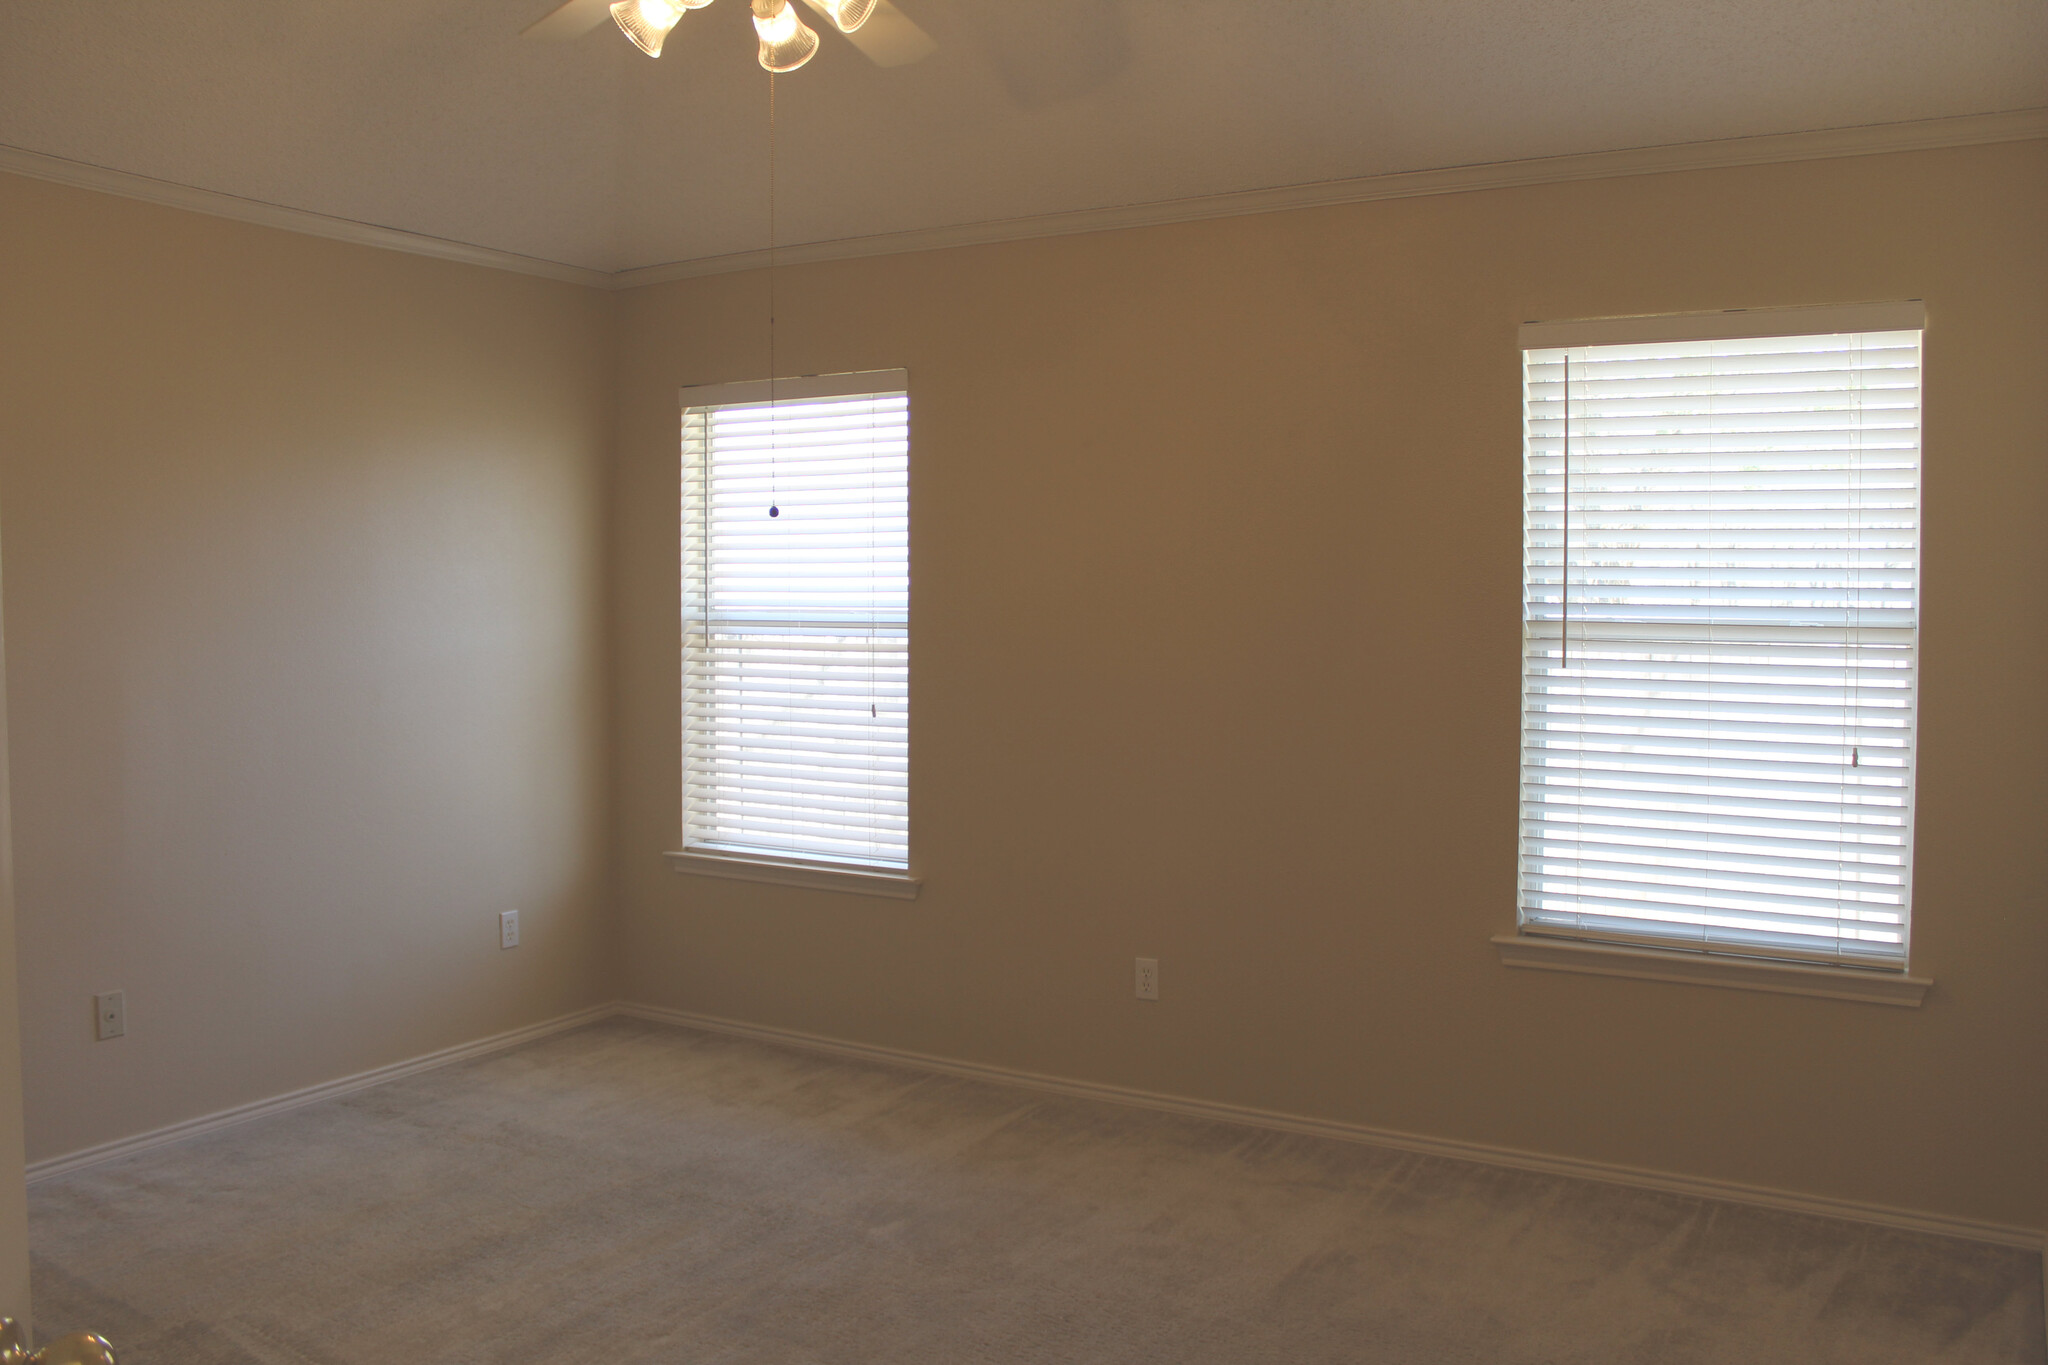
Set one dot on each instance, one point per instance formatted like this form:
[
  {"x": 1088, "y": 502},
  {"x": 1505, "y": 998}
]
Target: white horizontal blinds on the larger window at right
[{"x": 1719, "y": 672}]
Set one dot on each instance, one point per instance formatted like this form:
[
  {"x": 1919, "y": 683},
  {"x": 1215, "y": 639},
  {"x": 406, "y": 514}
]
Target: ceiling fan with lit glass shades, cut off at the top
[{"x": 878, "y": 28}]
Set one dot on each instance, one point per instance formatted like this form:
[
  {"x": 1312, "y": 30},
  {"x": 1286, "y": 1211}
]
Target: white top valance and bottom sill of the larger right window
[{"x": 1713, "y": 969}]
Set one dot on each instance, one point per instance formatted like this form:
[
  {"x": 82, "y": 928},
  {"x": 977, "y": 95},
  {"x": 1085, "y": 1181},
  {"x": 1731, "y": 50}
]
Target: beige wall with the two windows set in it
[{"x": 1215, "y": 597}]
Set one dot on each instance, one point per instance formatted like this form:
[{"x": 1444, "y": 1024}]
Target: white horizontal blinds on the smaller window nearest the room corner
[{"x": 798, "y": 629}]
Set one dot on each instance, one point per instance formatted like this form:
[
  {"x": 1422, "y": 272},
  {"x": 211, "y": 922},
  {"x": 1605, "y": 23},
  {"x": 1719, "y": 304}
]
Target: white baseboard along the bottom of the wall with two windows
[{"x": 1607, "y": 1174}]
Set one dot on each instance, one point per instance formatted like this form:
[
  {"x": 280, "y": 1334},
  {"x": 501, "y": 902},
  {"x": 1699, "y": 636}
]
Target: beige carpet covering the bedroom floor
[{"x": 646, "y": 1194}]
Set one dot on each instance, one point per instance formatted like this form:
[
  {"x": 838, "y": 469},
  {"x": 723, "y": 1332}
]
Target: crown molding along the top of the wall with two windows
[{"x": 1822, "y": 144}]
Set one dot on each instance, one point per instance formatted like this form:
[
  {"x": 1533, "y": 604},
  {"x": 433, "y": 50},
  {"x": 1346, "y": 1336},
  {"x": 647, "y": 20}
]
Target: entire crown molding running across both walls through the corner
[{"x": 1773, "y": 148}]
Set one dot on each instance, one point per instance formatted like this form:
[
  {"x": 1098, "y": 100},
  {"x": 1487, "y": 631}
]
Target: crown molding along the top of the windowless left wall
[{"x": 173, "y": 195}]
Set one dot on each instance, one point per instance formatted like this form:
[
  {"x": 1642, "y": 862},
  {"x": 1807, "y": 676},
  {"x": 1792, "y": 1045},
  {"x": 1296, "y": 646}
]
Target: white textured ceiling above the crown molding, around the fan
[{"x": 437, "y": 118}]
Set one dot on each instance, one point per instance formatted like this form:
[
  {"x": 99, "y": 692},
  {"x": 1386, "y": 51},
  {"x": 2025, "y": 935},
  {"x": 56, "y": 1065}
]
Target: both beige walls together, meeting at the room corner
[{"x": 1215, "y": 597}]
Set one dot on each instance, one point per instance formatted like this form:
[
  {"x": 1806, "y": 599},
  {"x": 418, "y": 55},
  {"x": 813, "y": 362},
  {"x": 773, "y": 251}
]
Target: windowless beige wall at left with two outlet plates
[{"x": 304, "y": 601}]
